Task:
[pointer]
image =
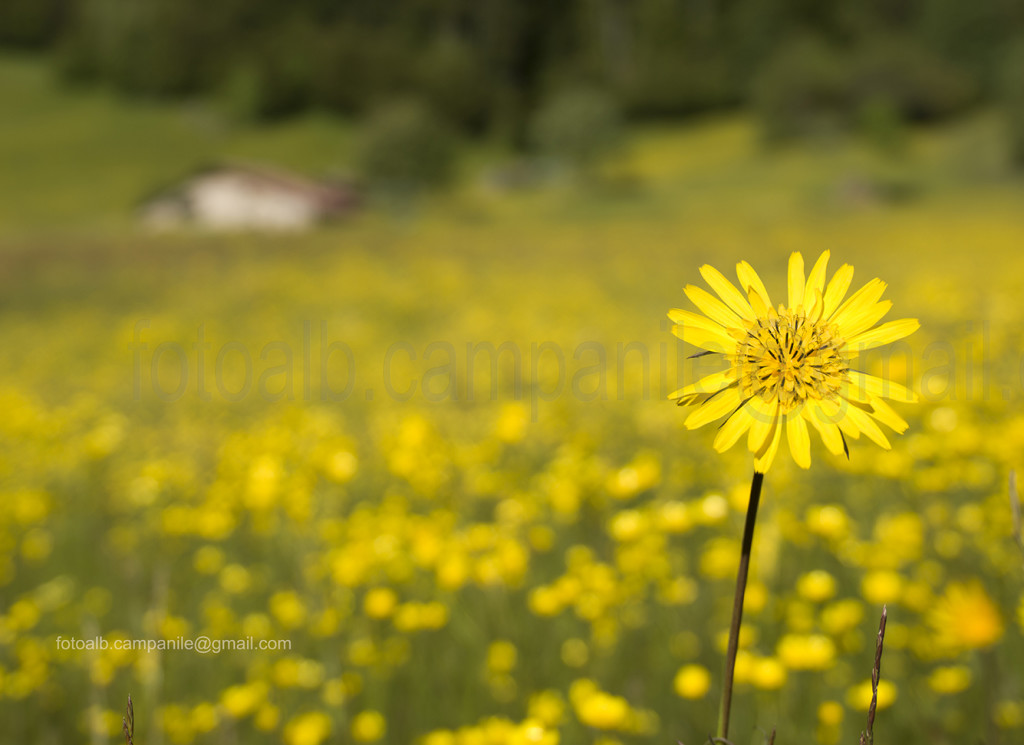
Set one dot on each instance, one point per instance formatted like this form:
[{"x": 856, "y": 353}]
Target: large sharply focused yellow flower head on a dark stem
[{"x": 792, "y": 367}]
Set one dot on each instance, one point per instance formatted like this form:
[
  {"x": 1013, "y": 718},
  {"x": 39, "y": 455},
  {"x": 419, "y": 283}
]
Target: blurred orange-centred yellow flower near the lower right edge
[{"x": 965, "y": 618}]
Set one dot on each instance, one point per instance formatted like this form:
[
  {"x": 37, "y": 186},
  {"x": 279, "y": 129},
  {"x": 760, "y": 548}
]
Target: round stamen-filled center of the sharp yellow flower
[{"x": 791, "y": 359}]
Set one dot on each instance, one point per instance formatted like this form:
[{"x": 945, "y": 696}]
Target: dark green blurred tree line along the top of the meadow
[{"x": 486, "y": 65}]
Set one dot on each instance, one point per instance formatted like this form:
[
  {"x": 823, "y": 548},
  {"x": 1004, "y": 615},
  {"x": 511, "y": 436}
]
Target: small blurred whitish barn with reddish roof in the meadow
[{"x": 244, "y": 197}]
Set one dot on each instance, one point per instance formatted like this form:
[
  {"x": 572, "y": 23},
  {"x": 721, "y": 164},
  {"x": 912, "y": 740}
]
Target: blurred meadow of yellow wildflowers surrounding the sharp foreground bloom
[{"x": 431, "y": 468}]
